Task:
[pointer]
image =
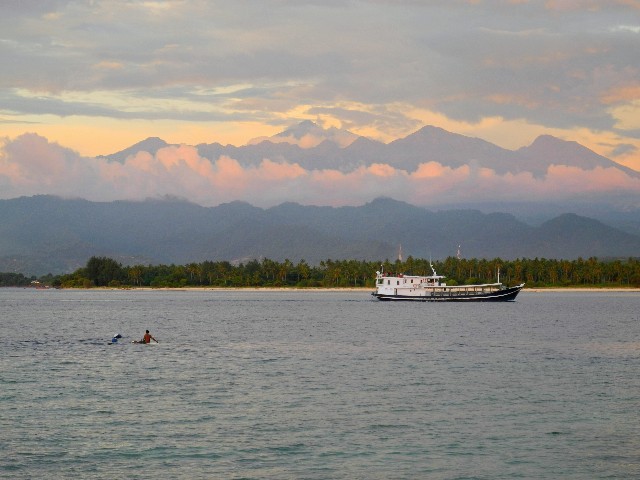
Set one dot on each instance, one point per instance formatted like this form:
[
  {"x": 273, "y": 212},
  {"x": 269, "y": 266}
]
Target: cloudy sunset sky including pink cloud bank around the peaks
[{"x": 88, "y": 78}]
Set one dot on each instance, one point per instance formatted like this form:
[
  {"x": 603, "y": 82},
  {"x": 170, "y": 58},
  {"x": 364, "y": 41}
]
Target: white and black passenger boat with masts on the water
[{"x": 432, "y": 288}]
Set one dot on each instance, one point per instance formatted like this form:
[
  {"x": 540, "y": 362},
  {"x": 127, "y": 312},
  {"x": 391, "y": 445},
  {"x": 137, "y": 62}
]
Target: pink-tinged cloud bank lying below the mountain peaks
[{"x": 31, "y": 165}]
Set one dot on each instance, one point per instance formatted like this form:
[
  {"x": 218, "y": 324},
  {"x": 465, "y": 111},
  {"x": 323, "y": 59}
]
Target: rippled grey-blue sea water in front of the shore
[{"x": 318, "y": 385}]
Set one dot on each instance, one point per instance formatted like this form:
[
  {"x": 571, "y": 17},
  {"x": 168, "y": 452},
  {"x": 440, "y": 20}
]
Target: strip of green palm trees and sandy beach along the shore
[{"x": 538, "y": 272}]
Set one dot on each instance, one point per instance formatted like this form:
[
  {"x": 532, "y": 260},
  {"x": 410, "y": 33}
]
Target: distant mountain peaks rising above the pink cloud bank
[{"x": 344, "y": 151}]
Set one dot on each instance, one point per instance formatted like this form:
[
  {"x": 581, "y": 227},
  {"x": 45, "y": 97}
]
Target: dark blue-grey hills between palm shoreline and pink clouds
[{"x": 46, "y": 234}]
